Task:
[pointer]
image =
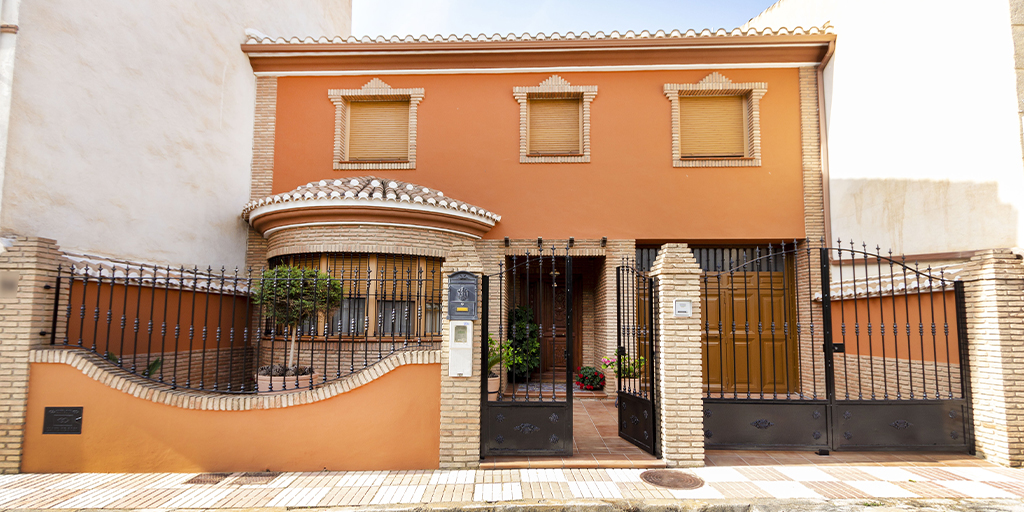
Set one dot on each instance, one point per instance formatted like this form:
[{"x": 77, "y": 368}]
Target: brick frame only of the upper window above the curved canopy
[{"x": 375, "y": 91}]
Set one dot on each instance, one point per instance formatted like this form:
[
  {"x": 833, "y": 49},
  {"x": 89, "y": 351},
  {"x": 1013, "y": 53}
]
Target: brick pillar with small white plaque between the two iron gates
[{"x": 679, "y": 371}]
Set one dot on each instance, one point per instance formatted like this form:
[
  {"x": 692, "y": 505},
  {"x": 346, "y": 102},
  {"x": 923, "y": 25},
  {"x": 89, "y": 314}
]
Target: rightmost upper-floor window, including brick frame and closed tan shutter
[{"x": 716, "y": 123}]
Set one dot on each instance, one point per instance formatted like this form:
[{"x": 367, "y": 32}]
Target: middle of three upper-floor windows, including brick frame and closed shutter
[{"x": 554, "y": 122}]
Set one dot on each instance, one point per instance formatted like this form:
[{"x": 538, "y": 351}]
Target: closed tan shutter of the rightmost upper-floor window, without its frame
[{"x": 712, "y": 126}]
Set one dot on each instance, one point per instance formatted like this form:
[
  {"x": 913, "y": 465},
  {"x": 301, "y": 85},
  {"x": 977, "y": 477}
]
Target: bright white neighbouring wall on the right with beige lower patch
[{"x": 924, "y": 145}]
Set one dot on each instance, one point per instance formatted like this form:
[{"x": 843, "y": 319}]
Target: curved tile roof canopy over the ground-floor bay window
[{"x": 368, "y": 200}]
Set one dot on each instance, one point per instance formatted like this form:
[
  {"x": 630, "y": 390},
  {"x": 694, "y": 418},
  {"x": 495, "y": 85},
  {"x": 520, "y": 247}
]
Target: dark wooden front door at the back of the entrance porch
[{"x": 554, "y": 322}]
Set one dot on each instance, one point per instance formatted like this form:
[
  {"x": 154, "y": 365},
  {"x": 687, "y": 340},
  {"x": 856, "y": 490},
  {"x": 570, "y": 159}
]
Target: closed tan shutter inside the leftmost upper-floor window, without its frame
[{"x": 378, "y": 131}]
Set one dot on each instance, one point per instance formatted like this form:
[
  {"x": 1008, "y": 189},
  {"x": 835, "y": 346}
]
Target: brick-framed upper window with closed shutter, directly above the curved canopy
[{"x": 375, "y": 126}]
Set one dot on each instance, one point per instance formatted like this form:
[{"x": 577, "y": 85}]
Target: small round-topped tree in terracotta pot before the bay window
[{"x": 291, "y": 296}]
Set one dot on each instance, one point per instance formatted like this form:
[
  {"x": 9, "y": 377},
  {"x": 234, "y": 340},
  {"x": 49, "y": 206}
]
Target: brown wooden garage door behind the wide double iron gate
[{"x": 751, "y": 337}]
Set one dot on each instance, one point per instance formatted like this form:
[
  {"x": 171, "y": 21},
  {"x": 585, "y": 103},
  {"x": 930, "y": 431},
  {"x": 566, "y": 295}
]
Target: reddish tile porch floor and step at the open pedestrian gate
[{"x": 595, "y": 444}]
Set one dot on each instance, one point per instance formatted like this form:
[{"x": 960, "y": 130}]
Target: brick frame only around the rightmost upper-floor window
[{"x": 718, "y": 86}]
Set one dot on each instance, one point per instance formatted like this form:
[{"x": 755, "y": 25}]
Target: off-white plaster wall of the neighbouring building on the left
[{"x": 132, "y": 122}]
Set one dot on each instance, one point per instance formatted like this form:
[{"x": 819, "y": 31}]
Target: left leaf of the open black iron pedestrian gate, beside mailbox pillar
[{"x": 527, "y": 337}]
